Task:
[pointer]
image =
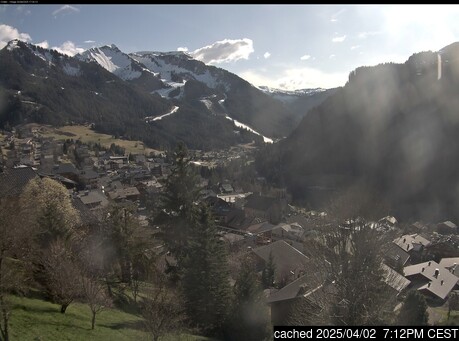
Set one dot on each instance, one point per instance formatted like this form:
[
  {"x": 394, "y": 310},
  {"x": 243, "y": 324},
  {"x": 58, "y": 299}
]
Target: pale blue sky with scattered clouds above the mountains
[{"x": 281, "y": 46}]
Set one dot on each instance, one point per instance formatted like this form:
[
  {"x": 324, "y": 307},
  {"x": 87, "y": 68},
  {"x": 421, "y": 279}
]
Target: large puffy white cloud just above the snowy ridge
[{"x": 224, "y": 51}]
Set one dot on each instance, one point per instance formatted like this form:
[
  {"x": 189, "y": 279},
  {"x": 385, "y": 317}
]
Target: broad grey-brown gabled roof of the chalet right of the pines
[{"x": 285, "y": 257}]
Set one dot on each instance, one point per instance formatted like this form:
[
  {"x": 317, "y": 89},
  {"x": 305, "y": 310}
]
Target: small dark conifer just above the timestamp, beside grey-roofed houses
[{"x": 414, "y": 310}]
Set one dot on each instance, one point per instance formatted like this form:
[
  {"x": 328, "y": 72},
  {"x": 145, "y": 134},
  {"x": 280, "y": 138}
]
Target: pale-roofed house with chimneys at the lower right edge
[{"x": 433, "y": 280}]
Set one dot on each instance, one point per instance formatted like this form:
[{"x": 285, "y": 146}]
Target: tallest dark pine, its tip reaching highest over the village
[{"x": 178, "y": 203}]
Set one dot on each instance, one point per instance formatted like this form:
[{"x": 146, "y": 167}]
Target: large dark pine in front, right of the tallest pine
[{"x": 205, "y": 281}]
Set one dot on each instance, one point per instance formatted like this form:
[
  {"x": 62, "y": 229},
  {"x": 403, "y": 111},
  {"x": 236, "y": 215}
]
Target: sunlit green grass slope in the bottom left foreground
[{"x": 35, "y": 319}]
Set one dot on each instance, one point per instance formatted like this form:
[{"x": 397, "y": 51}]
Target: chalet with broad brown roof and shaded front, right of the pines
[{"x": 289, "y": 262}]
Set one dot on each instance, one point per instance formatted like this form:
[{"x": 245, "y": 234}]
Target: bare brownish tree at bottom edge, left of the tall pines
[{"x": 161, "y": 309}]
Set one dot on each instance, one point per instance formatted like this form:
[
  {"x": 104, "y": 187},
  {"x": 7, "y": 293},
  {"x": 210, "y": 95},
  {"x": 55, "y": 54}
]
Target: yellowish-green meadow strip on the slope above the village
[{"x": 85, "y": 134}]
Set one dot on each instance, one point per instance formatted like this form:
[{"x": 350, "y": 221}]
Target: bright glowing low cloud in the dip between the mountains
[{"x": 296, "y": 78}]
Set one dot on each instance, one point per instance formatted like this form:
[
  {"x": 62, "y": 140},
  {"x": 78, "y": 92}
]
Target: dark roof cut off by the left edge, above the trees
[{"x": 13, "y": 180}]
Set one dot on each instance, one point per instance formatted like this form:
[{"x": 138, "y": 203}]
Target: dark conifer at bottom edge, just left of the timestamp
[{"x": 250, "y": 318}]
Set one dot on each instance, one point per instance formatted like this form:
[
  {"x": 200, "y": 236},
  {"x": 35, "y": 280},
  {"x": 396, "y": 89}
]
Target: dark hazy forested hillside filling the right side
[{"x": 393, "y": 129}]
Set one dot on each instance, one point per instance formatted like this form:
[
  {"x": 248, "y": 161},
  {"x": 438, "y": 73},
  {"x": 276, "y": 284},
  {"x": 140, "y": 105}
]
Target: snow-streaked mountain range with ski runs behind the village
[{"x": 157, "y": 97}]
